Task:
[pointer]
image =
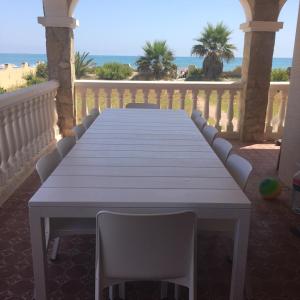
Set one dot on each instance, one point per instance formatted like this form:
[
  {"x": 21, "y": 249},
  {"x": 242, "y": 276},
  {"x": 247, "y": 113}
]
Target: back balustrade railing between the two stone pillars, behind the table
[{"x": 219, "y": 101}]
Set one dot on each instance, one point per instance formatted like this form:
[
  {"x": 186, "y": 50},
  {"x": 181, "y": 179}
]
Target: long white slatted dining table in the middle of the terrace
[{"x": 141, "y": 161}]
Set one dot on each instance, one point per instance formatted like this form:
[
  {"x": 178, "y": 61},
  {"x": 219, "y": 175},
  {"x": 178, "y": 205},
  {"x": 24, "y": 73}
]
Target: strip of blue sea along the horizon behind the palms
[{"x": 181, "y": 62}]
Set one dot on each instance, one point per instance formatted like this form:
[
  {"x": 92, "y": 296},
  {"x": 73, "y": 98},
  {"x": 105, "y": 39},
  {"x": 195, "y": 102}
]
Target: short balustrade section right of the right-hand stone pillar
[{"x": 278, "y": 97}]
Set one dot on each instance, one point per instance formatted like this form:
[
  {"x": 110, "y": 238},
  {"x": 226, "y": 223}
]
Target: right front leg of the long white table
[{"x": 240, "y": 257}]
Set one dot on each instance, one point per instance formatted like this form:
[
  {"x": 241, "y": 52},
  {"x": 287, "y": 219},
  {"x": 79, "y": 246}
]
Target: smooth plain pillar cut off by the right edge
[{"x": 290, "y": 149}]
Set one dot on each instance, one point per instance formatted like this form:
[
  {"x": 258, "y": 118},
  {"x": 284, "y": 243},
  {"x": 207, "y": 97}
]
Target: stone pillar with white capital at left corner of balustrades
[{"x": 61, "y": 67}]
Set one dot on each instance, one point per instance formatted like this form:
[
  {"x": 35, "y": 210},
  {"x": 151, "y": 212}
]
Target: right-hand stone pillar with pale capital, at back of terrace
[{"x": 257, "y": 66}]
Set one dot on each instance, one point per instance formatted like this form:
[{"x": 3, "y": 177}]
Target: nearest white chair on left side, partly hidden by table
[{"x": 58, "y": 227}]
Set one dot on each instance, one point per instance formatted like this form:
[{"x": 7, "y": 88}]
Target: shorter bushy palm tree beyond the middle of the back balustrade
[{"x": 157, "y": 60}]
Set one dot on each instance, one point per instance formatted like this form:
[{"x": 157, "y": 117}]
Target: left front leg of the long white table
[{"x": 37, "y": 234}]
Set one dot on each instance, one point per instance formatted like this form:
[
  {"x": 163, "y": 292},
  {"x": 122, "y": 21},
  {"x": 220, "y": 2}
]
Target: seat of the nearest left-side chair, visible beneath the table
[{"x": 72, "y": 226}]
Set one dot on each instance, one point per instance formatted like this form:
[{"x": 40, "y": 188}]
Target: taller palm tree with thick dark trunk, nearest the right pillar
[{"x": 214, "y": 46}]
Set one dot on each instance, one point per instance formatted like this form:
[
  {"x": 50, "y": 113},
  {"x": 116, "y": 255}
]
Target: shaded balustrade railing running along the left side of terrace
[{"x": 27, "y": 129}]
